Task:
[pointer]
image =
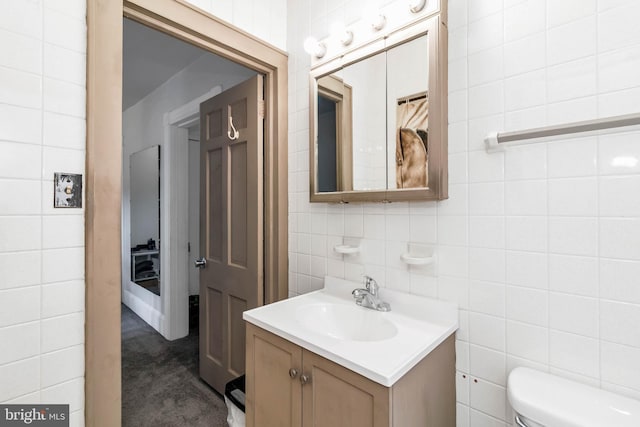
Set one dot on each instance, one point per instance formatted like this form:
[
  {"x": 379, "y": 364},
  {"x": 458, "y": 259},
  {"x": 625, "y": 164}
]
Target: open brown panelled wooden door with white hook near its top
[{"x": 231, "y": 224}]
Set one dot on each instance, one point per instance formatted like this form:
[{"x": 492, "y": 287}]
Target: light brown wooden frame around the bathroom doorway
[{"x": 104, "y": 171}]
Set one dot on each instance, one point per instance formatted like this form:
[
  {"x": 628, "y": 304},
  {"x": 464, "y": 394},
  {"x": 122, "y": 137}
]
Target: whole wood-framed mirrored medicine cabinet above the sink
[{"x": 378, "y": 119}]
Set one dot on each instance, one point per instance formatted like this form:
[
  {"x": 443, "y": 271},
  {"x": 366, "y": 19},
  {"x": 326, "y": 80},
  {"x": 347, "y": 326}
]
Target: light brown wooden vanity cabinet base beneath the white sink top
[{"x": 288, "y": 386}]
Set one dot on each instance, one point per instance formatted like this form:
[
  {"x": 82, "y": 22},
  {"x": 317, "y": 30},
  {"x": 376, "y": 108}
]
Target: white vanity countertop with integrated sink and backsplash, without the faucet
[{"x": 381, "y": 346}]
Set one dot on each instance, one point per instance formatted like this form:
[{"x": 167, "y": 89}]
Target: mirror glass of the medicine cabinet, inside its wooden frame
[{"x": 372, "y": 122}]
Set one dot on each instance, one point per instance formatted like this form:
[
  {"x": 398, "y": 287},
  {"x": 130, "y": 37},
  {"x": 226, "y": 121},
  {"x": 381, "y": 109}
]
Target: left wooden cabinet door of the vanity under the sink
[{"x": 273, "y": 392}]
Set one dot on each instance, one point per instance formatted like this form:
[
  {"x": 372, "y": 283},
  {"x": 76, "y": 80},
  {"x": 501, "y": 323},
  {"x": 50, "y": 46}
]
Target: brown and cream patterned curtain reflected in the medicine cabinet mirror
[{"x": 412, "y": 116}]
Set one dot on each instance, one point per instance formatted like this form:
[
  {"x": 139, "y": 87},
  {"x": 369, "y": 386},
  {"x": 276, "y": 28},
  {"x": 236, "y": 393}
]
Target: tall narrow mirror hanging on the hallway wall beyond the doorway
[{"x": 145, "y": 218}]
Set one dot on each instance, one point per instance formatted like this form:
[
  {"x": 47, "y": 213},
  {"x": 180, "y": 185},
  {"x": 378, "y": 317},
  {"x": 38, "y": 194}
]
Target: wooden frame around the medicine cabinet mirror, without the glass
[{"x": 434, "y": 27}]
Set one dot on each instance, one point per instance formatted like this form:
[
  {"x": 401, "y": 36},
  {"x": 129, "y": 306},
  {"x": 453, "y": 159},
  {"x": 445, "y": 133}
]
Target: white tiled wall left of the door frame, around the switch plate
[{"x": 42, "y": 105}]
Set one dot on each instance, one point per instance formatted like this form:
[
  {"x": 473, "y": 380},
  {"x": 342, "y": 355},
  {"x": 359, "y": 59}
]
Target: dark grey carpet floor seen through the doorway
[{"x": 160, "y": 381}]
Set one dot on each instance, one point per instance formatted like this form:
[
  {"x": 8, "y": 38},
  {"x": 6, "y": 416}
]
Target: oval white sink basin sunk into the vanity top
[{"x": 346, "y": 322}]
